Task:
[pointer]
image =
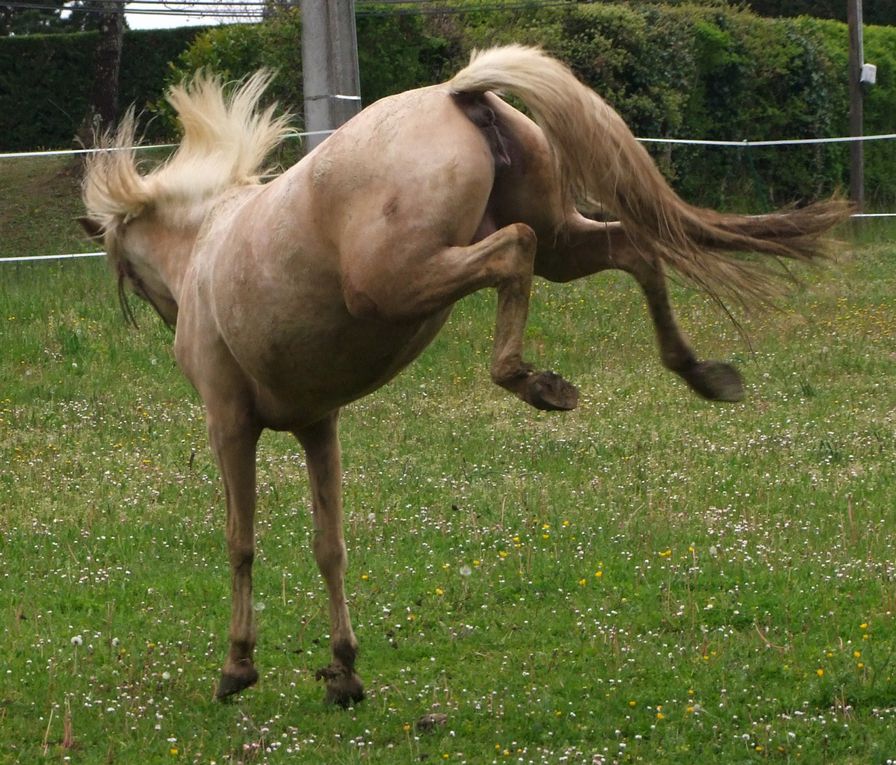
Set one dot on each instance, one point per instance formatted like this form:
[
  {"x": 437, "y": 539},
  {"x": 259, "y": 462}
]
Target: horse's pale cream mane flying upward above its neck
[{"x": 225, "y": 141}]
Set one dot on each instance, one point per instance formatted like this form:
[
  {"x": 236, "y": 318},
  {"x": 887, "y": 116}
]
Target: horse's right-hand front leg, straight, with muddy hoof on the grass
[{"x": 321, "y": 444}]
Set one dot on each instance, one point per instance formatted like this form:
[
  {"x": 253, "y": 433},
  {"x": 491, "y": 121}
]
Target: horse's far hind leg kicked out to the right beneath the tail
[{"x": 584, "y": 247}]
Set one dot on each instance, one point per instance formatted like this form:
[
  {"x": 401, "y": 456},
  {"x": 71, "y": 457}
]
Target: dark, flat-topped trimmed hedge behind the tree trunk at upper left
[{"x": 45, "y": 82}]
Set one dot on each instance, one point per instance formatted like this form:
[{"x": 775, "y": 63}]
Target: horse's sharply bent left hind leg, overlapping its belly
[{"x": 405, "y": 287}]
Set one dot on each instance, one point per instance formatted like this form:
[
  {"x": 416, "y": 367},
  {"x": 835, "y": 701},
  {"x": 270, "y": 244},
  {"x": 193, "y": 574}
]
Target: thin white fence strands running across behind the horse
[{"x": 675, "y": 141}]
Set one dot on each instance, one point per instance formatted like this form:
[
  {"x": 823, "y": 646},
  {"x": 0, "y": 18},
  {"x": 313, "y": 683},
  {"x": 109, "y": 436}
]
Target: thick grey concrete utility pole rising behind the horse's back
[{"x": 329, "y": 65}]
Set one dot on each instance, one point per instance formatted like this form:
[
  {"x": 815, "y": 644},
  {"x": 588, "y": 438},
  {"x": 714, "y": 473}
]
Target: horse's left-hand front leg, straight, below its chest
[{"x": 234, "y": 438}]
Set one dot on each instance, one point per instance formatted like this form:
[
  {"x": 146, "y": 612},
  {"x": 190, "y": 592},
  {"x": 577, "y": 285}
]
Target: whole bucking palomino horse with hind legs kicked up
[{"x": 293, "y": 298}]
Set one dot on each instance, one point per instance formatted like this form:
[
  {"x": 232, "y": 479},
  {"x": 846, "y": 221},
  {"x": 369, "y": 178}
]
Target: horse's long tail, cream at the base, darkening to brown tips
[{"x": 600, "y": 163}]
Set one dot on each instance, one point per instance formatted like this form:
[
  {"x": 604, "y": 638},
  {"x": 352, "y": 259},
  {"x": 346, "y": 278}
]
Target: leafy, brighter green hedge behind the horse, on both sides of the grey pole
[{"x": 677, "y": 69}]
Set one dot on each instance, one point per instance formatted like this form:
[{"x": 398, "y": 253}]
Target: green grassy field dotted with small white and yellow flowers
[{"x": 649, "y": 579}]
